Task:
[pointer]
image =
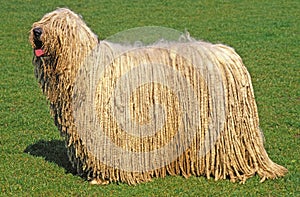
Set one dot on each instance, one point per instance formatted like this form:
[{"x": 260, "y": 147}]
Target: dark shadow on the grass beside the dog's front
[{"x": 53, "y": 151}]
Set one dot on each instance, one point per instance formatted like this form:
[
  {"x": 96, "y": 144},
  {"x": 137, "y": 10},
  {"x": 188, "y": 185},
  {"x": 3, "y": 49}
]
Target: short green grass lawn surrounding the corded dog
[{"x": 265, "y": 33}]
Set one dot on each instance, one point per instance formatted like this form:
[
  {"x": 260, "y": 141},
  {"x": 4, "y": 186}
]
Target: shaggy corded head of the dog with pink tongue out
[{"x": 60, "y": 40}]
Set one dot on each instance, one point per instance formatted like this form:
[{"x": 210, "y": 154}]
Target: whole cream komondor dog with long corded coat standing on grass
[{"x": 108, "y": 98}]
